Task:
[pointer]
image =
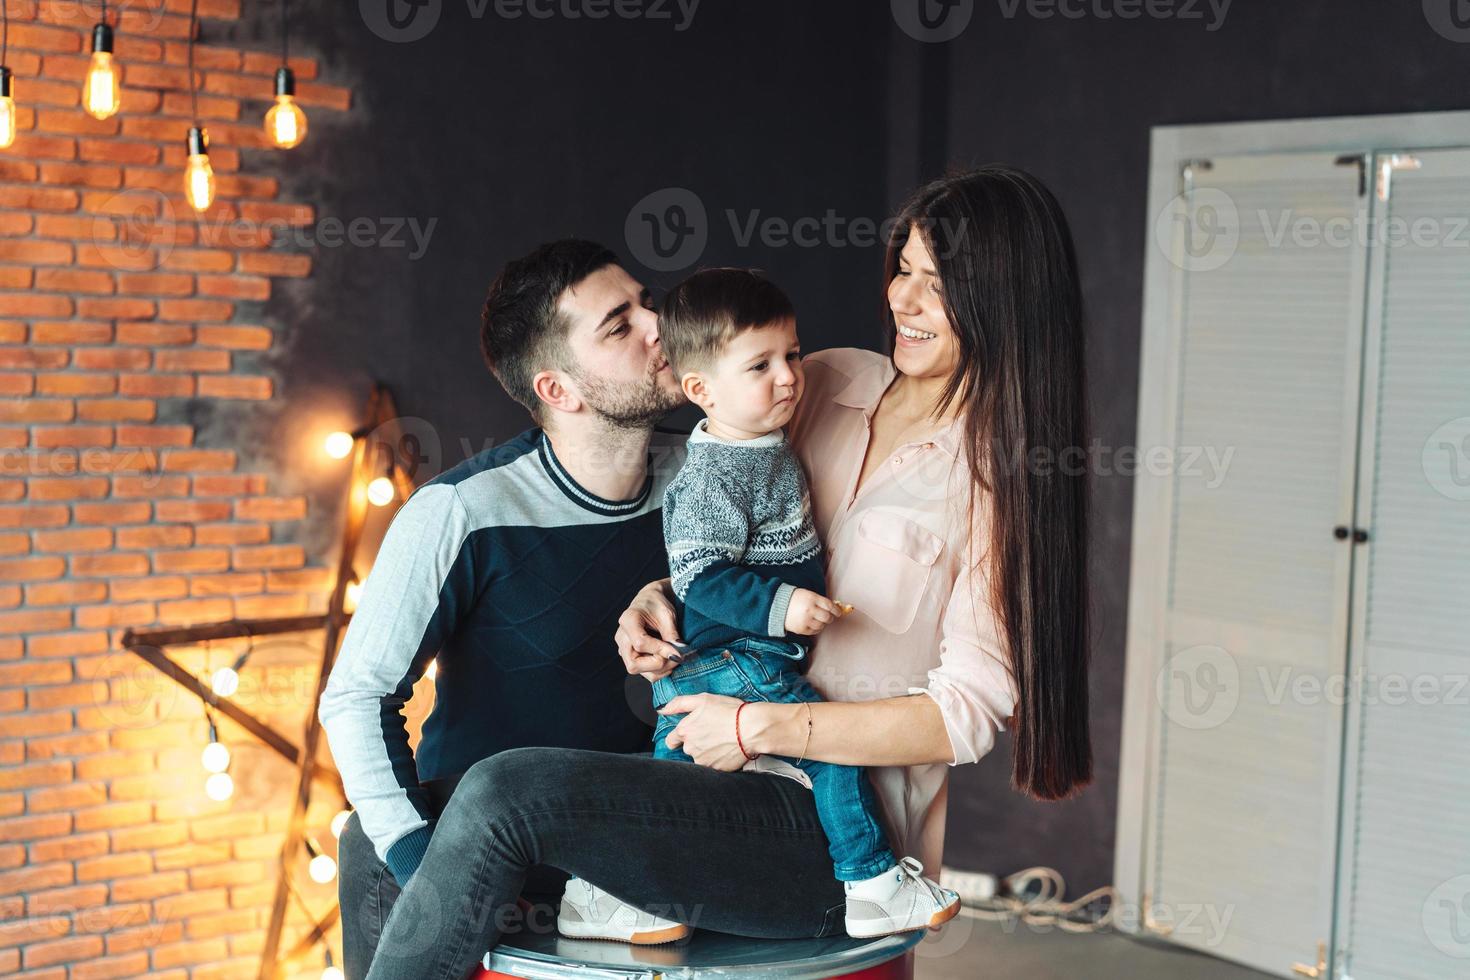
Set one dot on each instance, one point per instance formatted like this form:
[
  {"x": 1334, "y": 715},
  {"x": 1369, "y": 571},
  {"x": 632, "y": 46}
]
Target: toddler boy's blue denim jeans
[{"x": 761, "y": 669}]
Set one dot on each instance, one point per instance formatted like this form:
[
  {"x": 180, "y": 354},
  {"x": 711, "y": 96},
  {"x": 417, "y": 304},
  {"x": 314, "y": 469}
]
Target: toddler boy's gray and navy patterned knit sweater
[{"x": 737, "y": 522}]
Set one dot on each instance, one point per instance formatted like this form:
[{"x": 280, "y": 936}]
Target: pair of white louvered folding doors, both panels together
[{"x": 1306, "y": 621}]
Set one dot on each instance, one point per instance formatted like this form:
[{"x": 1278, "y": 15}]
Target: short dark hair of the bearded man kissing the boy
[{"x": 523, "y": 333}]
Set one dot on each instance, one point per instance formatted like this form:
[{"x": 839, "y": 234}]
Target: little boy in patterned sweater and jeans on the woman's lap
[{"x": 747, "y": 568}]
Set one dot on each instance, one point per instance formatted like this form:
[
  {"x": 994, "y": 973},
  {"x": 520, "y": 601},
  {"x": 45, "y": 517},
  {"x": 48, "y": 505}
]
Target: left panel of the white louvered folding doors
[{"x": 1266, "y": 381}]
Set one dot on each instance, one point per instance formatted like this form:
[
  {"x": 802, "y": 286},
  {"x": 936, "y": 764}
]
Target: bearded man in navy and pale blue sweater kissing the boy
[{"x": 511, "y": 571}]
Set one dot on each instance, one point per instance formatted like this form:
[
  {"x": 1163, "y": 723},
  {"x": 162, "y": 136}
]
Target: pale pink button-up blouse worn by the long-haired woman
[{"x": 909, "y": 558}]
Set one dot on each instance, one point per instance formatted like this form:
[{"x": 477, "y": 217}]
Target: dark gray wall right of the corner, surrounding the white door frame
[{"x": 1072, "y": 101}]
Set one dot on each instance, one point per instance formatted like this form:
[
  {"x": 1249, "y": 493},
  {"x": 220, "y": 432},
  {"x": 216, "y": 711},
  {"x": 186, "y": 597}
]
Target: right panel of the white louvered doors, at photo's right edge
[{"x": 1405, "y": 891}]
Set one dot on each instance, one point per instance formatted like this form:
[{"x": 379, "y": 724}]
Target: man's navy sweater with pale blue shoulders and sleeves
[{"x": 512, "y": 577}]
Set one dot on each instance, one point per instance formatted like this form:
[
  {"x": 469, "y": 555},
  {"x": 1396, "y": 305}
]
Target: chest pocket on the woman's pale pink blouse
[{"x": 887, "y": 569}]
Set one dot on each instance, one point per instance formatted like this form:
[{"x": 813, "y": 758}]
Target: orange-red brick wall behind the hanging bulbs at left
[{"x": 117, "y": 312}]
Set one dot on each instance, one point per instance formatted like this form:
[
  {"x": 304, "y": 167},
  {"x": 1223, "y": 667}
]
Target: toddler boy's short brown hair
[{"x": 705, "y": 312}]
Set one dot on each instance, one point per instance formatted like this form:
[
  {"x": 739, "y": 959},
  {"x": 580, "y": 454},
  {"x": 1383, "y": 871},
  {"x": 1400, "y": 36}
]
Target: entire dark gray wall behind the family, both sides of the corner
[{"x": 508, "y": 133}]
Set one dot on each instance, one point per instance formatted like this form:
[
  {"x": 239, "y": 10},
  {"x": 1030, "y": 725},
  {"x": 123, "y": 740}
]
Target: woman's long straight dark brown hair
[{"x": 1009, "y": 277}]
